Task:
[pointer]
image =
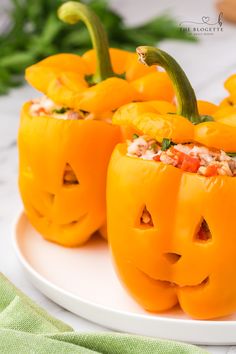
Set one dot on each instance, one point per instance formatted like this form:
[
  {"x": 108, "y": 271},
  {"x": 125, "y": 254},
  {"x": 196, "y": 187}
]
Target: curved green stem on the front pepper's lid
[{"x": 186, "y": 99}]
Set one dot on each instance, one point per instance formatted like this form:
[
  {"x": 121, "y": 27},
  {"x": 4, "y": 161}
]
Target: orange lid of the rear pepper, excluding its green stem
[{"x": 61, "y": 77}]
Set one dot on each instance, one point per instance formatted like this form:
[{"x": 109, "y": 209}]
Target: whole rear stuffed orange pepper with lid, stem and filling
[{"x": 66, "y": 136}]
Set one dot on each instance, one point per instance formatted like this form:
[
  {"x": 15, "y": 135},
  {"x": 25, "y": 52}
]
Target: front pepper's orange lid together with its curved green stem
[{"x": 215, "y": 133}]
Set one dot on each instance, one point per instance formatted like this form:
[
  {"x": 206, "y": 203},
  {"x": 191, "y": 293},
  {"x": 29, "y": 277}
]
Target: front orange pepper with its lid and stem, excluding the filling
[{"x": 186, "y": 253}]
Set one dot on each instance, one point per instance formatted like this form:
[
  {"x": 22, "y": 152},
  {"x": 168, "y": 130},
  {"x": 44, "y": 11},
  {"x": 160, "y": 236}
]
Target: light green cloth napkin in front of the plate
[{"x": 25, "y": 328}]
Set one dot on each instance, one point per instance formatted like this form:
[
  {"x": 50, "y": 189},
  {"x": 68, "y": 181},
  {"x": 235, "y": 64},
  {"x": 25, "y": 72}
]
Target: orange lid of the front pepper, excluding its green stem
[{"x": 146, "y": 118}]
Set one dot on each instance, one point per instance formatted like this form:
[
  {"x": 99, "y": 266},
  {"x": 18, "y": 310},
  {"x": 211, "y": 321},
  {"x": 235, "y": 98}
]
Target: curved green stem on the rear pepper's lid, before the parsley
[{"x": 71, "y": 12}]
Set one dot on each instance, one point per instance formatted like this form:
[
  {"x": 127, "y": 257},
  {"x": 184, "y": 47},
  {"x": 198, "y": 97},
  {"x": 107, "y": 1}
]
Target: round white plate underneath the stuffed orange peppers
[{"x": 83, "y": 281}]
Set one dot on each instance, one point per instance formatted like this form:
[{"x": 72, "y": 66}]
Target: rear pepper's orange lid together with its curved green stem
[{"x": 66, "y": 78}]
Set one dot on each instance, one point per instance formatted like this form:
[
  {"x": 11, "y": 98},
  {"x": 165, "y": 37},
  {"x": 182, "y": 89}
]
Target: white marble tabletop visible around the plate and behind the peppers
[{"x": 207, "y": 64}]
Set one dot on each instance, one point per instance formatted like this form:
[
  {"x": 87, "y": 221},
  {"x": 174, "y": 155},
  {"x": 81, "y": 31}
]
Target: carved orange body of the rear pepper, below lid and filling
[{"x": 62, "y": 175}]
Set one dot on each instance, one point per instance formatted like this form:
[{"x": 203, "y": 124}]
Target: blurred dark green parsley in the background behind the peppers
[{"x": 34, "y": 32}]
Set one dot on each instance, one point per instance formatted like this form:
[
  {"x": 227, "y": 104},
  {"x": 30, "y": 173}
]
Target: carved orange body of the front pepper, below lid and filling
[{"x": 172, "y": 235}]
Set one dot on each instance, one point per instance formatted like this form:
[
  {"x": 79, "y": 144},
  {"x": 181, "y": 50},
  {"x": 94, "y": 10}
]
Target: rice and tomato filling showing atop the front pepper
[{"x": 190, "y": 157}]
